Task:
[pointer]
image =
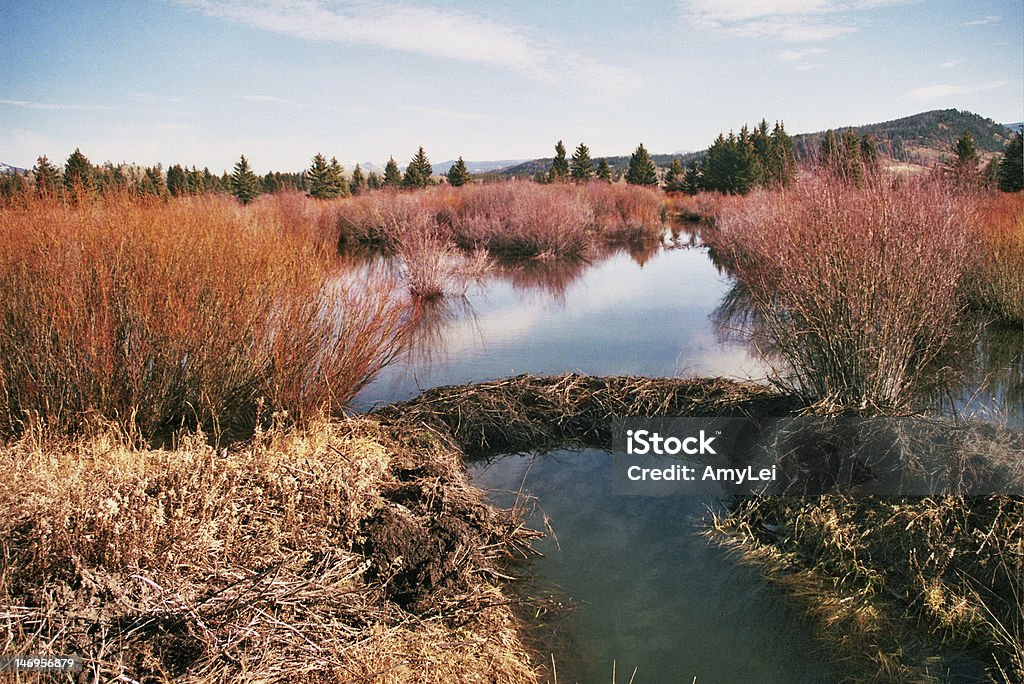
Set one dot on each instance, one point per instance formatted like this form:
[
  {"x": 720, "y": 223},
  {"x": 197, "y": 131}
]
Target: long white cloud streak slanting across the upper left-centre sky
[{"x": 430, "y": 31}]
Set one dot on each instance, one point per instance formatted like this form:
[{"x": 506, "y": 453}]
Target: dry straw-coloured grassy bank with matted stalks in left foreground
[{"x": 349, "y": 551}]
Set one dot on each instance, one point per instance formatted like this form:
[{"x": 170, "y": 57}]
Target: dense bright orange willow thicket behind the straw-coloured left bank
[{"x": 195, "y": 313}]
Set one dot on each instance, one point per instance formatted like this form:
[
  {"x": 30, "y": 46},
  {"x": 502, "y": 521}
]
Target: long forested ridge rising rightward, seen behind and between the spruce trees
[{"x": 921, "y": 139}]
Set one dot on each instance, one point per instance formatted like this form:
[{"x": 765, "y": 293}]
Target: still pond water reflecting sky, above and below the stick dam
[{"x": 648, "y": 590}]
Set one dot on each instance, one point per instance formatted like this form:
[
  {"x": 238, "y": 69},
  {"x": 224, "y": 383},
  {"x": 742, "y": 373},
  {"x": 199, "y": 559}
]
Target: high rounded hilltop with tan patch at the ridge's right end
[{"x": 923, "y": 138}]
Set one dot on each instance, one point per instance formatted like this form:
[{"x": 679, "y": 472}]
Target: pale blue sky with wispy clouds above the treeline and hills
[{"x": 201, "y": 82}]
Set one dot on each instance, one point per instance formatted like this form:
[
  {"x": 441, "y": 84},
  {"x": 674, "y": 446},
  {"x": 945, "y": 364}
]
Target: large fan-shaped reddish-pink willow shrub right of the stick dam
[{"x": 859, "y": 289}]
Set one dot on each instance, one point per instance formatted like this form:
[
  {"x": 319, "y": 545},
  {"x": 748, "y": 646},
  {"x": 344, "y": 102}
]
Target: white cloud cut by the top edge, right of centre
[{"x": 791, "y": 21}]
